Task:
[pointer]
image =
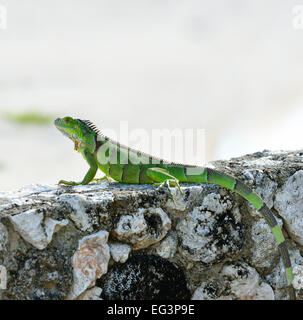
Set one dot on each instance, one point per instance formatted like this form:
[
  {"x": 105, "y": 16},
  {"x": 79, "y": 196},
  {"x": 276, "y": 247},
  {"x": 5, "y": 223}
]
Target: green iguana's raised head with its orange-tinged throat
[{"x": 81, "y": 132}]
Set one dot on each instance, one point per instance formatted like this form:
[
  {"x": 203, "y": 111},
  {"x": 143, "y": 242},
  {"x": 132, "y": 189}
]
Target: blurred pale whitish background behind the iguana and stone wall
[{"x": 231, "y": 67}]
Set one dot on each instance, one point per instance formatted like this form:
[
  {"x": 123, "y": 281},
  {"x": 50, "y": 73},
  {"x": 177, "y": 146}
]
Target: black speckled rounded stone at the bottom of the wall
[{"x": 144, "y": 277}]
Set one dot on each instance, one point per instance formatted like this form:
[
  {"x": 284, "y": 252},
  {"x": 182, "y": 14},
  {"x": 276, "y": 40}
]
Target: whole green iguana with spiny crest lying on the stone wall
[{"x": 127, "y": 165}]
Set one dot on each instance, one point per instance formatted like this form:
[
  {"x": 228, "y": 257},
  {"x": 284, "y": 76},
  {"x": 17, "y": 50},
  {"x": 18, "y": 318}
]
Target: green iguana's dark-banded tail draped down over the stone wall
[{"x": 229, "y": 182}]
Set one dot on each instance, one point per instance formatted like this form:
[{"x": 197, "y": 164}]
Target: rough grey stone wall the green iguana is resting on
[{"x": 88, "y": 242}]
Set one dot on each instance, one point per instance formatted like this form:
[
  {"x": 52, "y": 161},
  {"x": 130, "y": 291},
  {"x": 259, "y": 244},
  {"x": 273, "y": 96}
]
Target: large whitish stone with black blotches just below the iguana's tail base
[{"x": 212, "y": 231}]
